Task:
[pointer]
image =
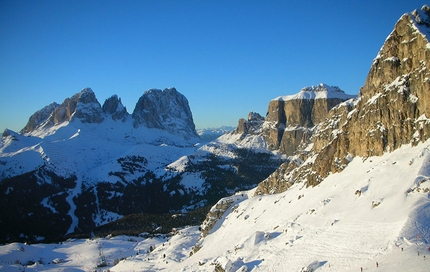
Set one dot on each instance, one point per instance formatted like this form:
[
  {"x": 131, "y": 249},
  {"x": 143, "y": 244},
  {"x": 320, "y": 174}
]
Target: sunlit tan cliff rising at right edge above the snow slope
[{"x": 392, "y": 109}]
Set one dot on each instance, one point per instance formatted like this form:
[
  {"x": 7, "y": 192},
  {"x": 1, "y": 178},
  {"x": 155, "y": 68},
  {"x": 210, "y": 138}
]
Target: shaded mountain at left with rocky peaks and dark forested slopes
[{"x": 80, "y": 164}]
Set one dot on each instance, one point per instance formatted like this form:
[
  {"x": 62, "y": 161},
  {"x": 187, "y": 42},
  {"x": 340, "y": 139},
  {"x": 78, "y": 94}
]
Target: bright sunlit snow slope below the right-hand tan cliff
[{"x": 329, "y": 226}]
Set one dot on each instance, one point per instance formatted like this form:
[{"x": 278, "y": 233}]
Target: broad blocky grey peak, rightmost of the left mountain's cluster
[{"x": 167, "y": 110}]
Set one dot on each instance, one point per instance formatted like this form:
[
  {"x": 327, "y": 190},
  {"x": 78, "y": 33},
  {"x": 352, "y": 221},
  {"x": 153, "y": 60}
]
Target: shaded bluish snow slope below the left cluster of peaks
[{"x": 90, "y": 152}]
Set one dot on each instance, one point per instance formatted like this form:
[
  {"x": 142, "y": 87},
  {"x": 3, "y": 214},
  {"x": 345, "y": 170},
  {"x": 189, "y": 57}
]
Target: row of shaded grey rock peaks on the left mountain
[{"x": 161, "y": 109}]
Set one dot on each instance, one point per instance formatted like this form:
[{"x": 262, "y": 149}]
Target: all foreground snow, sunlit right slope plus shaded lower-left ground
[{"x": 334, "y": 226}]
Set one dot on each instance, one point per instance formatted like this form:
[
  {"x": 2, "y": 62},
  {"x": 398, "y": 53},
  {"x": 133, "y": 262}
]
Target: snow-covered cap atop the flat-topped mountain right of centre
[{"x": 320, "y": 91}]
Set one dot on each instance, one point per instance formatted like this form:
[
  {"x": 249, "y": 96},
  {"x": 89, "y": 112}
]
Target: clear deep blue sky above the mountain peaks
[{"x": 227, "y": 57}]
